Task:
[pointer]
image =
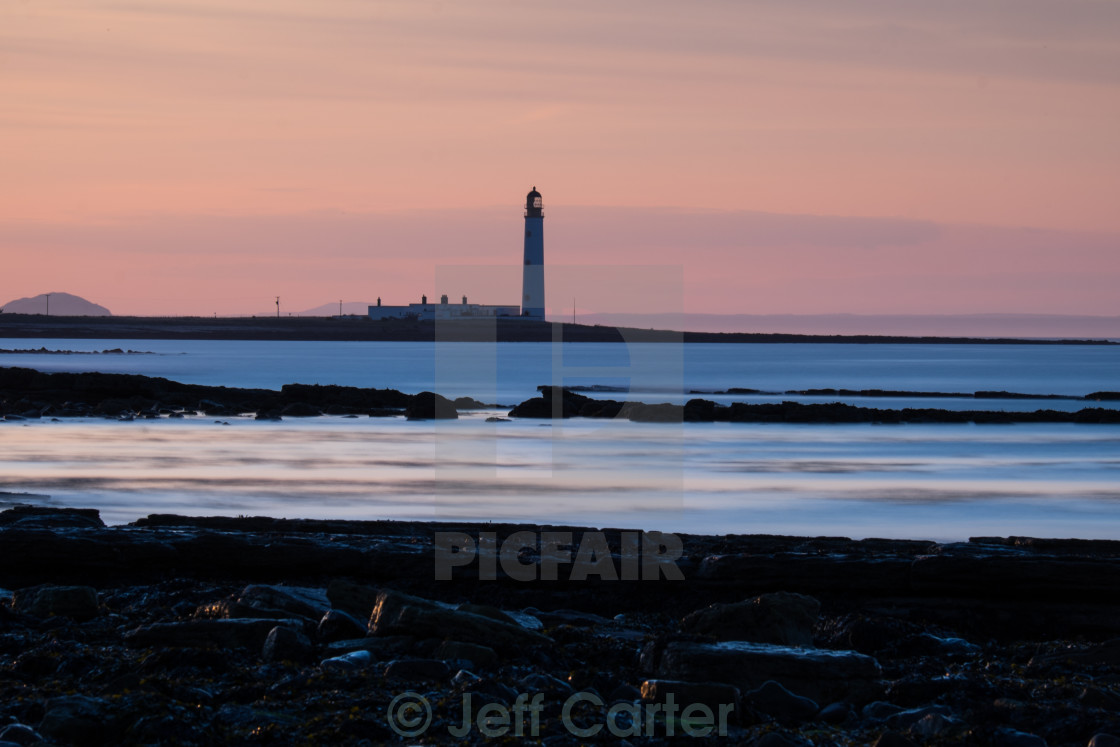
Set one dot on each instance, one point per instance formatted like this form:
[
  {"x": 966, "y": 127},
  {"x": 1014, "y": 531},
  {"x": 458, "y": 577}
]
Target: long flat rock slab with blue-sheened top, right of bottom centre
[{"x": 822, "y": 675}]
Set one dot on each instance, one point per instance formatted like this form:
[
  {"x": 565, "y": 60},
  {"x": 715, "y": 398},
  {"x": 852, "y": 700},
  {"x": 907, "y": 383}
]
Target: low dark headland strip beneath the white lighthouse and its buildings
[{"x": 363, "y": 329}]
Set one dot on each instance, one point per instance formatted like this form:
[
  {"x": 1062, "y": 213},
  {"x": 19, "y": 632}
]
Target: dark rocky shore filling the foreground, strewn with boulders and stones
[{"x": 241, "y": 631}]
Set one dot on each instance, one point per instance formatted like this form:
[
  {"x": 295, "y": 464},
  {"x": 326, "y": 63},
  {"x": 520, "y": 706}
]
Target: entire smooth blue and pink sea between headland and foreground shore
[{"x": 938, "y": 482}]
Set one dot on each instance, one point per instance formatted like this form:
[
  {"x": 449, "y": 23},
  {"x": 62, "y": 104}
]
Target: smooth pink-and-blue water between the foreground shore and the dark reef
[{"x": 939, "y": 482}]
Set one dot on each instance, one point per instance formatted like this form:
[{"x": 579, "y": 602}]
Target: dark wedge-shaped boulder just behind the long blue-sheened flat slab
[{"x": 781, "y": 618}]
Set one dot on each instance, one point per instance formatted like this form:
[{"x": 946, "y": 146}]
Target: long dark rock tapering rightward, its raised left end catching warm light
[{"x": 400, "y": 614}]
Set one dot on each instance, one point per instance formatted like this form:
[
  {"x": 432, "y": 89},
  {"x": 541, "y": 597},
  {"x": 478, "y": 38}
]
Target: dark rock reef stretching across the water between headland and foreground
[{"x": 26, "y": 394}]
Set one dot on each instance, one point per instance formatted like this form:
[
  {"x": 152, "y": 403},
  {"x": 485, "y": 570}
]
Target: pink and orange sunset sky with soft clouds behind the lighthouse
[{"x": 876, "y": 157}]
